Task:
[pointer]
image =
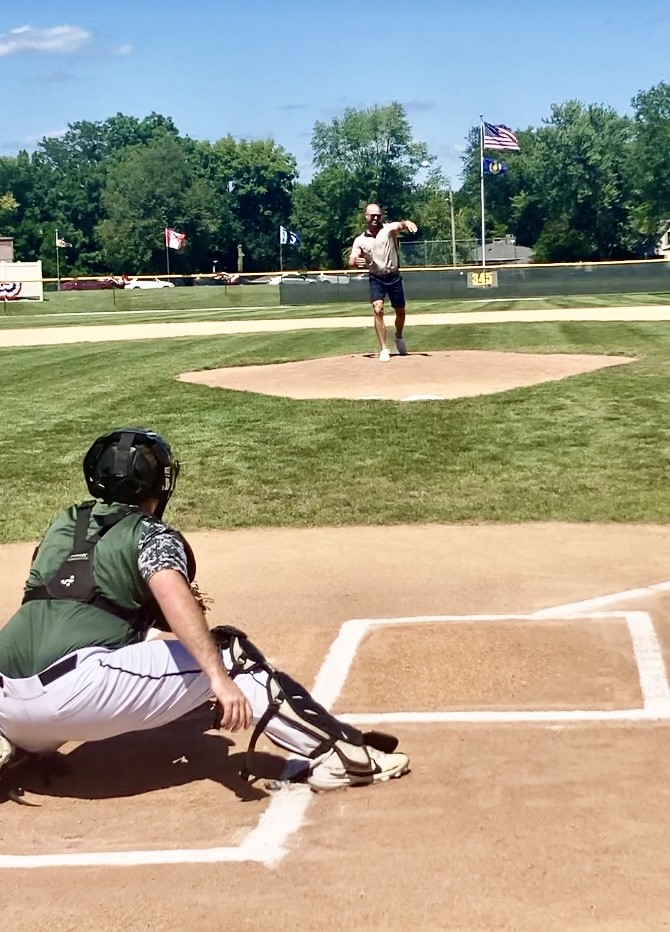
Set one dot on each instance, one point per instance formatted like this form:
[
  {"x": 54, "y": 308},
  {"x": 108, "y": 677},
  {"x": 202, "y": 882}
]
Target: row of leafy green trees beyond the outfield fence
[{"x": 588, "y": 184}]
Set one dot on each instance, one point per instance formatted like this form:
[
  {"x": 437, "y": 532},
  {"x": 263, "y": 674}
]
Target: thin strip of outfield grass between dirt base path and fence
[{"x": 261, "y": 302}]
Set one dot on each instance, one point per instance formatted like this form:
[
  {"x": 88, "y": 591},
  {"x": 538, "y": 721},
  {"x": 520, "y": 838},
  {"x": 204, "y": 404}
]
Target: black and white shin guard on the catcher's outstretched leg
[{"x": 293, "y": 704}]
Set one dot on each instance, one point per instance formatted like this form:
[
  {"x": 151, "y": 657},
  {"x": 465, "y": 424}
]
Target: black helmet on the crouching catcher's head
[{"x": 131, "y": 465}]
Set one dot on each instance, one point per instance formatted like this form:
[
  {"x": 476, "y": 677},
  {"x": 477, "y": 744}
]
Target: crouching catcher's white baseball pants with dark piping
[{"x": 113, "y": 692}]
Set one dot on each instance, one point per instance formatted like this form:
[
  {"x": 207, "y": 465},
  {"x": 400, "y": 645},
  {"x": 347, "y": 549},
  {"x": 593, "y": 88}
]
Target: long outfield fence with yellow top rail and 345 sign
[{"x": 462, "y": 283}]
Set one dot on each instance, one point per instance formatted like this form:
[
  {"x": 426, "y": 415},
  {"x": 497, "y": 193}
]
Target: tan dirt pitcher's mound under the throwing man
[{"x": 416, "y": 377}]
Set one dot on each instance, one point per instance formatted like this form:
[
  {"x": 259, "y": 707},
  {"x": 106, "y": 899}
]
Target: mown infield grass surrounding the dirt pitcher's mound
[{"x": 589, "y": 448}]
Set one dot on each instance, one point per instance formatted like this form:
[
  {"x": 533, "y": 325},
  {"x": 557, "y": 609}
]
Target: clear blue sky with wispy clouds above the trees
[{"x": 271, "y": 69}]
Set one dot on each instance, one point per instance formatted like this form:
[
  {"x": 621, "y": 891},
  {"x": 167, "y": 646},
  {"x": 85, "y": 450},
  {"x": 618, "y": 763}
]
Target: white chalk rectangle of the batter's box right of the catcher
[{"x": 647, "y": 652}]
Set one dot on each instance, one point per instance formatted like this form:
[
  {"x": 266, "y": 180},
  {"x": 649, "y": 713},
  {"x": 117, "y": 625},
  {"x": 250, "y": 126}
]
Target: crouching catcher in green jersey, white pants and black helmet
[{"x": 74, "y": 662}]
